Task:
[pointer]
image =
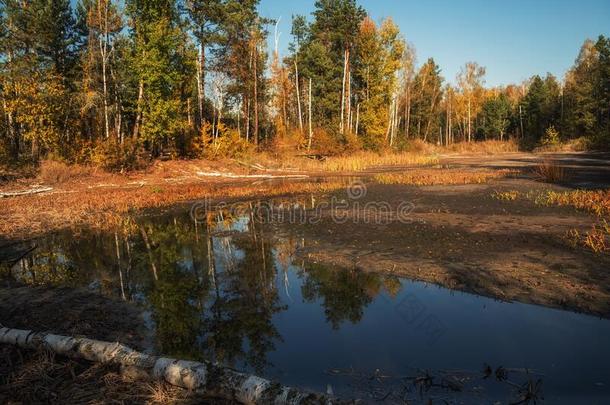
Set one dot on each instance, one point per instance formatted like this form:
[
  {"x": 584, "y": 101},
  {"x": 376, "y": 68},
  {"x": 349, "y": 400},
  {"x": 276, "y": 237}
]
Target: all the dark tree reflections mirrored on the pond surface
[{"x": 212, "y": 293}]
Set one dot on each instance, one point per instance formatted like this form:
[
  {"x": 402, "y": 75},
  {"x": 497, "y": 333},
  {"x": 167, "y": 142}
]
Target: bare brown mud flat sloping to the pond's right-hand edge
[{"x": 462, "y": 238}]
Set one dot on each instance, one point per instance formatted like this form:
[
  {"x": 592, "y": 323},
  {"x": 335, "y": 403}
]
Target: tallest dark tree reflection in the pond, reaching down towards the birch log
[{"x": 240, "y": 324}]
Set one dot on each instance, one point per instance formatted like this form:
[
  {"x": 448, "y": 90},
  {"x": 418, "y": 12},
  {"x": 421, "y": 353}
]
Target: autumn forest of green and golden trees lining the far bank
[{"x": 113, "y": 83}]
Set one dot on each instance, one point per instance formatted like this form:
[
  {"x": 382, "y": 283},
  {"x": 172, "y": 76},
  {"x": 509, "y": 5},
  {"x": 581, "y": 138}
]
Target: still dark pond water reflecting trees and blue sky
[{"x": 232, "y": 288}]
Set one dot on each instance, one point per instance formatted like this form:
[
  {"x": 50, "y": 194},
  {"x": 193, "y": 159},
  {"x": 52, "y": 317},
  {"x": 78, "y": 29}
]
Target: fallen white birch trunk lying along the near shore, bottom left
[{"x": 203, "y": 378}]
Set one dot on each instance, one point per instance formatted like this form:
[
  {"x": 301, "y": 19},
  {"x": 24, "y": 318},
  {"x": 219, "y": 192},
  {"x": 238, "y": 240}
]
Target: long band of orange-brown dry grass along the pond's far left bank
[{"x": 106, "y": 206}]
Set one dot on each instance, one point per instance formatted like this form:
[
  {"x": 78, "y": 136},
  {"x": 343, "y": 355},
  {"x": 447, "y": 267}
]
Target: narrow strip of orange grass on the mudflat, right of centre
[{"x": 430, "y": 177}]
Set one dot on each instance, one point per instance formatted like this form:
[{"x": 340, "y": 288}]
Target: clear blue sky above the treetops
[{"x": 513, "y": 39}]
